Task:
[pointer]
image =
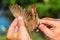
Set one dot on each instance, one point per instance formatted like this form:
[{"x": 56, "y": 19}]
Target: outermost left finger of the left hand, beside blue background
[{"x": 11, "y": 29}]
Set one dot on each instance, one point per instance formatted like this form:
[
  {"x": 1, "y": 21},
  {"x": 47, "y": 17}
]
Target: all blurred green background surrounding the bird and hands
[{"x": 45, "y": 8}]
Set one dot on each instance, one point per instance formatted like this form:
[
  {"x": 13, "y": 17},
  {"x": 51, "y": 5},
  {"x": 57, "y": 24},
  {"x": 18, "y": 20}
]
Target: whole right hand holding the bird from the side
[{"x": 54, "y": 31}]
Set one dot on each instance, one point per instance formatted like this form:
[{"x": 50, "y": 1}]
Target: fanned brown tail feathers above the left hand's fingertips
[{"x": 16, "y": 10}]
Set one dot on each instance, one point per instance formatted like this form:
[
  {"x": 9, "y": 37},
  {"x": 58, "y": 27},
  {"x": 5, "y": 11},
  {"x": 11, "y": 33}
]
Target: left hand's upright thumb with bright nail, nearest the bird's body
[{"x": 23, "y": 33}]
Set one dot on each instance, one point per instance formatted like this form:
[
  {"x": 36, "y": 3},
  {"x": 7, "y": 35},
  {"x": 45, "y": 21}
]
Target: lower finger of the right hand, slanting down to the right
[{"x": 46, "y": 30}]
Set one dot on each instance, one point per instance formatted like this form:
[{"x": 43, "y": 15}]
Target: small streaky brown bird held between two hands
[{"x": 30, "y": 16}]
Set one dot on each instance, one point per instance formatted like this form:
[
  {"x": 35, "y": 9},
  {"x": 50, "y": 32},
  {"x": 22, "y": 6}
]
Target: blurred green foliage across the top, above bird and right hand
[{"x": 45, "y": 8}]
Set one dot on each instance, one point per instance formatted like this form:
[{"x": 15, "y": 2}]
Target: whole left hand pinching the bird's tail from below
[{"x": 17, "y": 30}]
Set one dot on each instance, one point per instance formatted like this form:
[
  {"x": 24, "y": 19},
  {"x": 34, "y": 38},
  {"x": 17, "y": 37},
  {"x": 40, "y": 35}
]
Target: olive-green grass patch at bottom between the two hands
[{"x": 38, "y": 36}]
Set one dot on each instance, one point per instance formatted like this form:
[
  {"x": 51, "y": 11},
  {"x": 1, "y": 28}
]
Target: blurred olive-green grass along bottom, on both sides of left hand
[{"x": 34, "y": 36}]
